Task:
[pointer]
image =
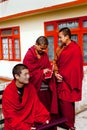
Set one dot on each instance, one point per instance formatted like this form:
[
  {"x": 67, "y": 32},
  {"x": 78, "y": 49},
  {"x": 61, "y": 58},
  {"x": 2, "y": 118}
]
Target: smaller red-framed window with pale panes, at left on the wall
[{"x": 10, "y": 44}]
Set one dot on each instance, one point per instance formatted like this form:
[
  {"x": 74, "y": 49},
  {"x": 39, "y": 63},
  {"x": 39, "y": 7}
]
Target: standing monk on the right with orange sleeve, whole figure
[{"x": 68, "y": 68}]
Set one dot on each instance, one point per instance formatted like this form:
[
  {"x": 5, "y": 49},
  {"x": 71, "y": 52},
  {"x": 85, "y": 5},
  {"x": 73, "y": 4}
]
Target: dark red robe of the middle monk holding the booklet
[{"x": 36, "y": 67}]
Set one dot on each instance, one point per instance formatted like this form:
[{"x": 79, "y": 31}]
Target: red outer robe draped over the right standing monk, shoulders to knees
[{"x": 70, "y": 66}]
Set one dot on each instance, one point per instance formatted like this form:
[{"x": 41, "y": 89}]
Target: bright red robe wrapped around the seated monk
[{"x": 22, "y": 115}]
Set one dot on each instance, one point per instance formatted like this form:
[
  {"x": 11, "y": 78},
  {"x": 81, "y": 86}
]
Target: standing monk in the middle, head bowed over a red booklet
[{"x": 38, "y": 63}]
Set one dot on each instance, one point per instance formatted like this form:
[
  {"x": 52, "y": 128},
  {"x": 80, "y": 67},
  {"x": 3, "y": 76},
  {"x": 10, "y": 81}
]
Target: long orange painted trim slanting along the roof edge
[{"x": 43, "y": 10}]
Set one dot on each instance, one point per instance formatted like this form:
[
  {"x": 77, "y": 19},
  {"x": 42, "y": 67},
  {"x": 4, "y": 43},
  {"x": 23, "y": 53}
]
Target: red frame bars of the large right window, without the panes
[{"x": 80, "y": 30}]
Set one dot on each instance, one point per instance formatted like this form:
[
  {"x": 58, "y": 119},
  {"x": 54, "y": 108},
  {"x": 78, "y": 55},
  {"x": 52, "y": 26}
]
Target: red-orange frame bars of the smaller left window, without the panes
[{"x": 11, "y": 36}]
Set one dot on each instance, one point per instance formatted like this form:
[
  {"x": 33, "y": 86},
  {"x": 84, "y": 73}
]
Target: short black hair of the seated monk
[{"x": 18, "y": 68}]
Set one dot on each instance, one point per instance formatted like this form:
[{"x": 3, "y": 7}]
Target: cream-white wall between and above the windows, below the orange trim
[{"x": 33, "y": 26}]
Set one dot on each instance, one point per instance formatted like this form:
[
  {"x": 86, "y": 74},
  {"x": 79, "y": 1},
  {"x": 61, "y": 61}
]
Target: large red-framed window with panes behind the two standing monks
[{"x": 78, "y": 27}]
